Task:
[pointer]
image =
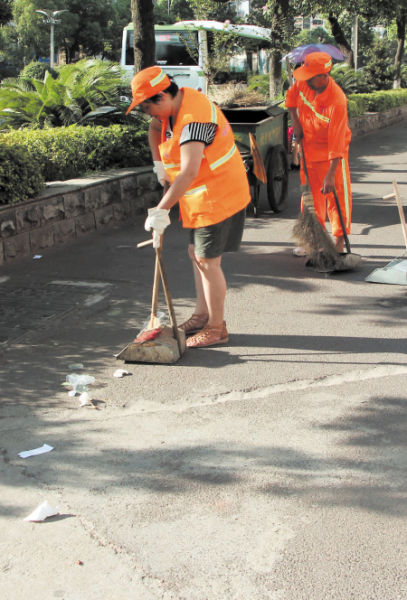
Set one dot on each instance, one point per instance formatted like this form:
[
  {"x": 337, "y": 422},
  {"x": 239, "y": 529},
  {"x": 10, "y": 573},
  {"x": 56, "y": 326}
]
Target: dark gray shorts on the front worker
[{"x": 212, "y": 241}]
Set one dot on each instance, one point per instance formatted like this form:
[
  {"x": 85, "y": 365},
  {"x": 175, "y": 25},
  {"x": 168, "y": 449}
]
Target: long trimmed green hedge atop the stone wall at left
[{"x": 67, "y": 152}]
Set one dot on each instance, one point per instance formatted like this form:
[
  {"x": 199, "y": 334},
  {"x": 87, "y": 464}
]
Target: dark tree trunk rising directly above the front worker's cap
[{"x": 144, "y": 41}]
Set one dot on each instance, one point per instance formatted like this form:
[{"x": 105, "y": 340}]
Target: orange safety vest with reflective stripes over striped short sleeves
[{"x": 221, "y": 188}]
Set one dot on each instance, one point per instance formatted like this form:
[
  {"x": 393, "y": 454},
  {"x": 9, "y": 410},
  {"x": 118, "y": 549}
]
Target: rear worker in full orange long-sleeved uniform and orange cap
[{"x": 318, "y": 109}]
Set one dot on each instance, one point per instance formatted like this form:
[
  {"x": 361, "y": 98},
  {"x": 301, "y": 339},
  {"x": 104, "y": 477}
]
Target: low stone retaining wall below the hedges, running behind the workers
[{"x": 67, "y": 210}]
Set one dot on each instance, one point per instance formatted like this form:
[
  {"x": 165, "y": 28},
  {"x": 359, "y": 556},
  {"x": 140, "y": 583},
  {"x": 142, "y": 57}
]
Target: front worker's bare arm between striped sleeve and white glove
[{"x": 191, "y": 158}]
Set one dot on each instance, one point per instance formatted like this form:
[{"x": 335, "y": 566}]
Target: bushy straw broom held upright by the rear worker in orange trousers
[{"x": 309, "y": 233}]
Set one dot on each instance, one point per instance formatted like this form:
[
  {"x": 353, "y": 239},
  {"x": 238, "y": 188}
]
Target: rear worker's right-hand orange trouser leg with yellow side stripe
[{"x": 344, "y": 193}]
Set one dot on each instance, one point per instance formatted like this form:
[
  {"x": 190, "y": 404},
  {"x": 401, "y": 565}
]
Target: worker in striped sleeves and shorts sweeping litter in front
[{"x": 195, "y": 157}]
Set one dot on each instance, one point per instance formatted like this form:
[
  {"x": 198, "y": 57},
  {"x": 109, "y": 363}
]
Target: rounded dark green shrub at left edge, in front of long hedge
[{"x": 20, "y": 175}]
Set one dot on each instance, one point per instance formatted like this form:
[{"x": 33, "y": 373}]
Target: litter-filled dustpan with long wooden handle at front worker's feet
[{"x": 165, "y": 345}]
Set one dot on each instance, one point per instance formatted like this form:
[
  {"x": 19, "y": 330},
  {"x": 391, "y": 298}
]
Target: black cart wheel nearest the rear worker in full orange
[{"x": 277, "y": 178}]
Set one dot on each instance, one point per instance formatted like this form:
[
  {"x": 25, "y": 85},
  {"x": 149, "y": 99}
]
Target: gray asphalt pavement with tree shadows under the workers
[{"x": 273, "y": 468}]
